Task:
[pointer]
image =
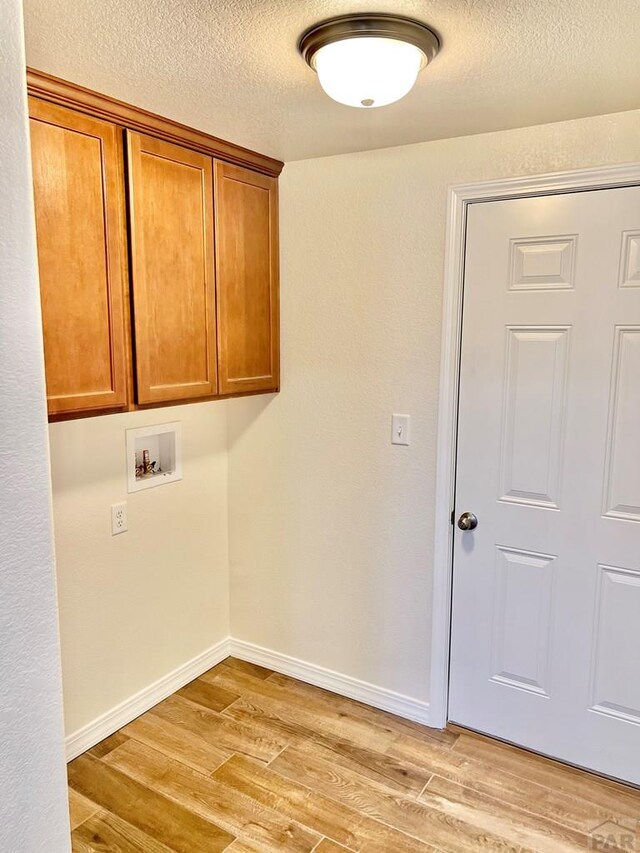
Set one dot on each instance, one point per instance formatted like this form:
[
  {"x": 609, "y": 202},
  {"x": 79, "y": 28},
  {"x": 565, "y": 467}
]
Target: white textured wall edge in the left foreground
[{"x": 32, "y": 780}]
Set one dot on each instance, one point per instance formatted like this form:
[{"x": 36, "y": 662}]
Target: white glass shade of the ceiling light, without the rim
[{"x": 367, "y": 71}]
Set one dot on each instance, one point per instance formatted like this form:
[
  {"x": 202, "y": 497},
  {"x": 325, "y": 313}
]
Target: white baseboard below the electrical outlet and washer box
[{"x": 108, "y": 723}]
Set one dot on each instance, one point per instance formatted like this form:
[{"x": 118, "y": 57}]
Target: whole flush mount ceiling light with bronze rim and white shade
[{"x": 368, "y": 60}]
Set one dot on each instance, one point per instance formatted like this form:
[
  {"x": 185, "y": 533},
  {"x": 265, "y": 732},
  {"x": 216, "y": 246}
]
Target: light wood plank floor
[{"x": 248, "y": 761}]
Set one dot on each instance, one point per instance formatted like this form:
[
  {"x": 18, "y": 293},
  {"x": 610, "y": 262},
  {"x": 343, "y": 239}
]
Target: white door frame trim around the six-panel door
[{"x": 460, "y": 197}]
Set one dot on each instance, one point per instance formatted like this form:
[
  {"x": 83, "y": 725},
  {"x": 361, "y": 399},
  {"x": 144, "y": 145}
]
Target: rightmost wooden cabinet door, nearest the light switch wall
[{"x": 247, "y": 276}]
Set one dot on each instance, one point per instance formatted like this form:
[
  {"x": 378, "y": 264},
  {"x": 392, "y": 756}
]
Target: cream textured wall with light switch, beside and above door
[{"x": 331, "y": 528}]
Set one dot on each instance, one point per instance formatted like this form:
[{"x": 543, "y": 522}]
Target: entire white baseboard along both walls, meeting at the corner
[{"x": 344, "y": 685}]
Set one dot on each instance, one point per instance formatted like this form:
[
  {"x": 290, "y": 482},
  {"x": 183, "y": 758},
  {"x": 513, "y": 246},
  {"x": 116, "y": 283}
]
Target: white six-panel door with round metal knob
[{"x": 545, "y": 648}]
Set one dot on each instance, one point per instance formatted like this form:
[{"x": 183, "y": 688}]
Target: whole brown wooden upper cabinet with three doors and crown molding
[{"x": 170, "y": 298}]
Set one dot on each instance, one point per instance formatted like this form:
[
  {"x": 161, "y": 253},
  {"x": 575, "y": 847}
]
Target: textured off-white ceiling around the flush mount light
[{"x": 230, "y": 67}]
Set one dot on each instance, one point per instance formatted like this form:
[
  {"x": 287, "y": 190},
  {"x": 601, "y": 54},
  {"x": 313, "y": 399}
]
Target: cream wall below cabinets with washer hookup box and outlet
[{"x": 136, "y": 606}]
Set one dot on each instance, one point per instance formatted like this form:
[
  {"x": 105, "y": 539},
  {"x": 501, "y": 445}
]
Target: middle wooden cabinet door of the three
[{"x": 171, "y": 230}]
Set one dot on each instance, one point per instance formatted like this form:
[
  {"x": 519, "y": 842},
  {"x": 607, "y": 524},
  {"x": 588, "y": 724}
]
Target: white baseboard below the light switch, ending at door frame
[{"x": 344, "y": 685}]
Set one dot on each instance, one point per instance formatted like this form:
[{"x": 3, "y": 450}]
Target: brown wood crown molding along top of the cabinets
[{"x": 57, "y": 91}]
